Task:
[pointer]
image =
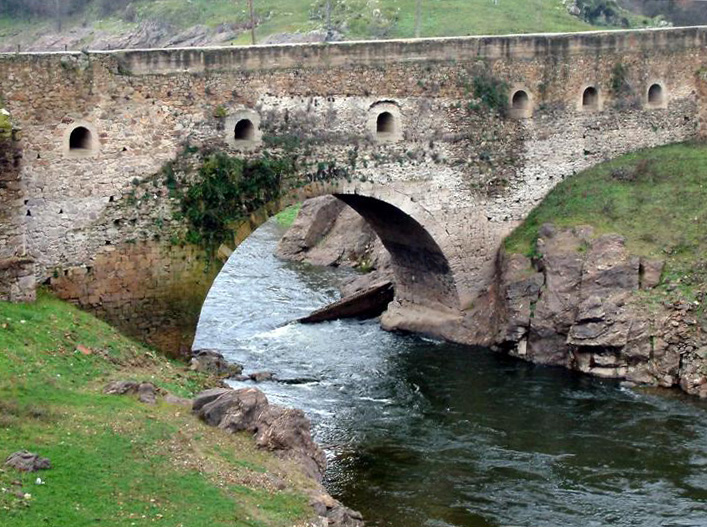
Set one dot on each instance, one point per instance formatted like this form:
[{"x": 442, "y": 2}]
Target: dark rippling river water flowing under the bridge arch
[{"x": 424, "y": 433}]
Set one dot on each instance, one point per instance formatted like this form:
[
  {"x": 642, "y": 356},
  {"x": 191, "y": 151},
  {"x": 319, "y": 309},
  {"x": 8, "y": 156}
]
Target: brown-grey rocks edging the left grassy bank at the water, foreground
[{"x": 284, "y": 431}]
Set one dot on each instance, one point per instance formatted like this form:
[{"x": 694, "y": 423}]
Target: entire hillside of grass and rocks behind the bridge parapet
[{"x": 35, "y": 25}]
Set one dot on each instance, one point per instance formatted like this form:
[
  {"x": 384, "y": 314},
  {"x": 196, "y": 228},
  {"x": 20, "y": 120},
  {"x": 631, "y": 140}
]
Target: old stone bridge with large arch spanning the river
[{"x": 443, "y": 145}]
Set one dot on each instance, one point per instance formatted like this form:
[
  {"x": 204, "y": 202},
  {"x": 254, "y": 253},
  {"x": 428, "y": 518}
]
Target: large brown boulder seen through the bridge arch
[{"x": 327, "y": 232}]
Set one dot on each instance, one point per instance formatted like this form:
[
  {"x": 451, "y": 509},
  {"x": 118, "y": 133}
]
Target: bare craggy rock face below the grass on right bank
[{"x": 578, "y": 305}]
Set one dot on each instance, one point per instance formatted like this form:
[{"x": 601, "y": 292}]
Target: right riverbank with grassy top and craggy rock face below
[{"x": 608, "y": 274}]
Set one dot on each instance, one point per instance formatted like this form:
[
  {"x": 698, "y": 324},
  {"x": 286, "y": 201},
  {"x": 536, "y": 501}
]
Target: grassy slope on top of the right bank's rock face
[{"x": 654, "y": 198}]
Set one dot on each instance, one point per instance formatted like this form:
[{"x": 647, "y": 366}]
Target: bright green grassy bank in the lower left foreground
[{"x": 118, "y": 462}]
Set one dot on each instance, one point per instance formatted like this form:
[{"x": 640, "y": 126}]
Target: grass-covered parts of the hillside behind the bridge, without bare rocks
[{"x": 351, "y": 19}]
